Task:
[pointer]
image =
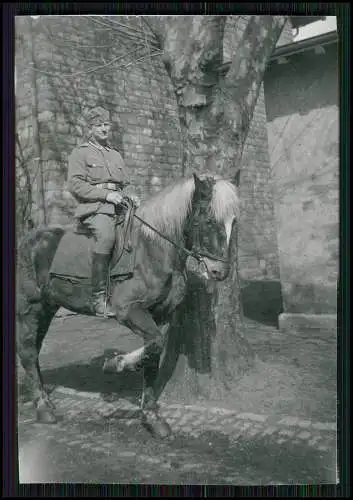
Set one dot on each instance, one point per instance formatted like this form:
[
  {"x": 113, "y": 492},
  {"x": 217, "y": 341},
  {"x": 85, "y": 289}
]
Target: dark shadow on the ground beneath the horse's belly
[{"x": 89, "y": 377}]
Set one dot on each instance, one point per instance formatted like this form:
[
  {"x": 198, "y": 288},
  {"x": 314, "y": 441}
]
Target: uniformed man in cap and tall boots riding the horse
[{"x": 97, "y": 174}]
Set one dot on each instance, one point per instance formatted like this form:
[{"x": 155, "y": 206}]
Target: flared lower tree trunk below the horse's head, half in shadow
[{"x": 206, "y": 350}]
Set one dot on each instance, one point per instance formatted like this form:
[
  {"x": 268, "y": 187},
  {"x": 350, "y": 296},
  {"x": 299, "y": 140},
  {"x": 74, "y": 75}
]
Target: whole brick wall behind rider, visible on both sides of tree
[{"x": 143, "y": 108}]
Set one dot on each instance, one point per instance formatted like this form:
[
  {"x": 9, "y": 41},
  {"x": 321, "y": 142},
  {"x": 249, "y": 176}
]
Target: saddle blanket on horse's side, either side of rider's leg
[{"x": 73, "y": 258}]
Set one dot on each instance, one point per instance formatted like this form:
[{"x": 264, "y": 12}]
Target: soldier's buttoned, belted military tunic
[{"x": 91, "y": 164}]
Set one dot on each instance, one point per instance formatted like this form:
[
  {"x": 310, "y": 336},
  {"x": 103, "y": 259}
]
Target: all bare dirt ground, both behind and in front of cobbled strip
[{"x": 288, "y": 380}]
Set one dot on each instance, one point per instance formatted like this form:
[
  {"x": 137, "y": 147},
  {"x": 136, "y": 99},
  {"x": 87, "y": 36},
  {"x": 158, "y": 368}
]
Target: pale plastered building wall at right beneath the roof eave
[{"x": 303, "y": 131}]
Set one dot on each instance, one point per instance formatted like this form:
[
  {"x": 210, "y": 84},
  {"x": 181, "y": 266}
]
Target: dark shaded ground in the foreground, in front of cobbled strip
[{"x": 212, "y": 457}]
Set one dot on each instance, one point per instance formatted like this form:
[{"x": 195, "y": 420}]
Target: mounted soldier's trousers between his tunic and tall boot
[{"x": 103, "y": 228}]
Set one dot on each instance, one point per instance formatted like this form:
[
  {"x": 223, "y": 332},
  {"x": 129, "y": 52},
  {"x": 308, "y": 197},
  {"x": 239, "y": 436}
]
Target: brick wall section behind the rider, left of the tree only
[{"x": 137, "y": 93}]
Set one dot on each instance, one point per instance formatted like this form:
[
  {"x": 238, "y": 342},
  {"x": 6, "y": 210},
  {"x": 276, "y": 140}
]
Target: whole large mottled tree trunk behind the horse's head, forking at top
[{"x": 206, "y": 344}]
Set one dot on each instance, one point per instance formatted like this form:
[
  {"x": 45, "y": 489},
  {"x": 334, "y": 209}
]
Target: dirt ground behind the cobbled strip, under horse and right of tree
[{"x": 291, "y": 377}]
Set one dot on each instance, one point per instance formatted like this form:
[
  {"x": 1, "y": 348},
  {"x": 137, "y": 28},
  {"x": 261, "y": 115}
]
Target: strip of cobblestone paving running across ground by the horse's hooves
[{"x": 196, "y": 420}]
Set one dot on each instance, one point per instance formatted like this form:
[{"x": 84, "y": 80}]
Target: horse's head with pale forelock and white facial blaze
[{"x": 214, "y": 208}]
